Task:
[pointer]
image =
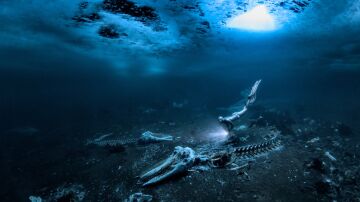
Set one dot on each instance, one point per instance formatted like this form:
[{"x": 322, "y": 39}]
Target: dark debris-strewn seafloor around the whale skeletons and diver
[{"x": 62, "y": 167}]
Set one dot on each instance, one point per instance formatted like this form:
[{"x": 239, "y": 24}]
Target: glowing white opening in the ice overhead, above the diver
[{"x": 257, "y": 19}]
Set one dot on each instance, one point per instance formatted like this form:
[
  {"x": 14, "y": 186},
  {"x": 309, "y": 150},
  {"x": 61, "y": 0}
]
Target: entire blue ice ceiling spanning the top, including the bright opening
[{"x": 146, "y": 33}]
